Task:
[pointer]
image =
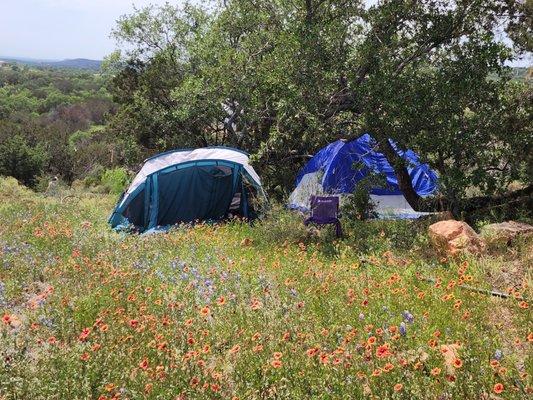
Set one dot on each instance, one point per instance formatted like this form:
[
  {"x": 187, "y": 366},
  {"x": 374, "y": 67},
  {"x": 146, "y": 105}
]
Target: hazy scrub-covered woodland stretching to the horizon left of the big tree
[{"x": 52, "y": 108}]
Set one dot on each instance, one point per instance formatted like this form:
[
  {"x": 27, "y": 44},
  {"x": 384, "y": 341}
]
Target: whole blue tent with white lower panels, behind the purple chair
[{"x": 337, "y": 168}]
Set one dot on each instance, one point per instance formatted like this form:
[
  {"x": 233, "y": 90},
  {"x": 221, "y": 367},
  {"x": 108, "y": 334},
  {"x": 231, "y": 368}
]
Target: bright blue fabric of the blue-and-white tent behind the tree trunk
[{"x": 337, "y": 161}]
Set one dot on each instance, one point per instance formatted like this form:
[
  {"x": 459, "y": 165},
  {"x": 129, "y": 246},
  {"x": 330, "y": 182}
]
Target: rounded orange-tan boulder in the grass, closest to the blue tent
[{"x": 453, "y": 237}]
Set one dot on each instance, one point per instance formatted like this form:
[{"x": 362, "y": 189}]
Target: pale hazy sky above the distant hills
[{"x": 60, "y": 29}]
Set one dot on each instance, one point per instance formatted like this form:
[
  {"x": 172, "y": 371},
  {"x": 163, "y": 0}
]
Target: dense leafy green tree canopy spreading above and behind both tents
[{"x": 282, "y": 78}]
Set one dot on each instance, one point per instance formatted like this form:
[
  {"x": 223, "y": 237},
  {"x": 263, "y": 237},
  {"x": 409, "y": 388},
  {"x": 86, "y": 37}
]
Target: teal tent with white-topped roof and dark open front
[{"x": 183, "y": 186}]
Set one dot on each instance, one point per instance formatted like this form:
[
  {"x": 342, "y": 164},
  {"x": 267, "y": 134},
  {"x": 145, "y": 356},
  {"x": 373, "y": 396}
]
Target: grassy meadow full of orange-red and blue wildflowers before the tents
[{"x": 240, "y": 311}]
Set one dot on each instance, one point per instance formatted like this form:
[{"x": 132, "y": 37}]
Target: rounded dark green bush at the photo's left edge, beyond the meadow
[{"x": 20, "y": 160}]
